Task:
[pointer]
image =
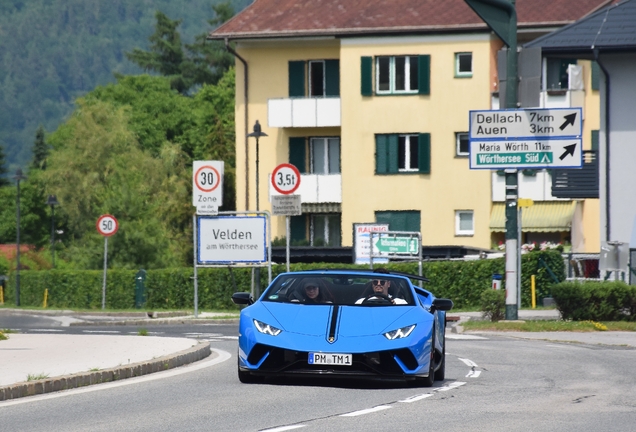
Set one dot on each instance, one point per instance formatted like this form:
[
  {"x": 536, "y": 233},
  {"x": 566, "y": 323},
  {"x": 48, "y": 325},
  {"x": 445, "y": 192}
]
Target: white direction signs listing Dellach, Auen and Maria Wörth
[{"x": 528, "y": 138}]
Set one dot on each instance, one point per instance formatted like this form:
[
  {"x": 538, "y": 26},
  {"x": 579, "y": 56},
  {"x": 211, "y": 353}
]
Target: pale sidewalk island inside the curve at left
[{"x": 68, "y": 361}]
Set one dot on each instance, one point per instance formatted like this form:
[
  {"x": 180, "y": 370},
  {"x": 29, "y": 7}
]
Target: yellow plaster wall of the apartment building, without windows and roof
[{"x": 450, "y": 186}]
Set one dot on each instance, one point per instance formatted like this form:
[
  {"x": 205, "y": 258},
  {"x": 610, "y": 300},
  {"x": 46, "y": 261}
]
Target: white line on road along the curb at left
[{"x": 220, "y": 358}]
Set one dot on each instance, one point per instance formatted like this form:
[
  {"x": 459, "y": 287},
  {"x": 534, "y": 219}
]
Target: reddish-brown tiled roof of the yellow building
[{"x": 279, "y": 18}]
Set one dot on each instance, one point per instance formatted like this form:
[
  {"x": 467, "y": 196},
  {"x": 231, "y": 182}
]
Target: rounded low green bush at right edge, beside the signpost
[{"x": 596, "y": 301}]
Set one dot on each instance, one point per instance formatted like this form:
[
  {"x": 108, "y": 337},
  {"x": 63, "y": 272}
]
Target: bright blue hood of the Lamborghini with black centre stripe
[{"x": 351, "y": 321}]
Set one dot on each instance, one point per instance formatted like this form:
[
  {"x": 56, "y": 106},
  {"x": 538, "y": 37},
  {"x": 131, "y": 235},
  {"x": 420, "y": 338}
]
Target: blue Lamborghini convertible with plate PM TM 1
[{"x": 340, "y": 323}]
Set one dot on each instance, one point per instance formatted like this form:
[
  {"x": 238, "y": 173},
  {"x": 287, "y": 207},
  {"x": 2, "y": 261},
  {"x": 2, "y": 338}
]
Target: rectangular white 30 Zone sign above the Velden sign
[{"x": 207, "y": 185}]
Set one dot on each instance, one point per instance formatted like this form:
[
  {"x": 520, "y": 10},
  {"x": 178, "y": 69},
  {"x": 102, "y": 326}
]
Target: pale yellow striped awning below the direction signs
[{"x": 550, "y": 216}]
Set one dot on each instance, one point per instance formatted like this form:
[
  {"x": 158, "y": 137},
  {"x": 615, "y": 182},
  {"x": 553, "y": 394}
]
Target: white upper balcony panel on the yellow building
[{"x": 304, "y": 112}]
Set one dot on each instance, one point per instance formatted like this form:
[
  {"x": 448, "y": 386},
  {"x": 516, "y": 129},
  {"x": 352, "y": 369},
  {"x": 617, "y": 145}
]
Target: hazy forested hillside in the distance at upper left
[{"x": 53, "y": 51}]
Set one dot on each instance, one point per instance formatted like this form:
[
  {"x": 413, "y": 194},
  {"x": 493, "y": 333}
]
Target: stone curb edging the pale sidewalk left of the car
[{"x": 82, "y": 379}]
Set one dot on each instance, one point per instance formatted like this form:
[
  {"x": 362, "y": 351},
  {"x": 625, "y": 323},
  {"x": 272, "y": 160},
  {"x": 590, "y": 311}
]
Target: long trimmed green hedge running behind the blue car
[{"x": 461, "y": 281}]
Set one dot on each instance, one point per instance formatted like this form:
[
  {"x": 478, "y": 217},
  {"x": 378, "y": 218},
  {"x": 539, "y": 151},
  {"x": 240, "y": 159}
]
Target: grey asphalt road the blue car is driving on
[{"x": 494, "y": 383}]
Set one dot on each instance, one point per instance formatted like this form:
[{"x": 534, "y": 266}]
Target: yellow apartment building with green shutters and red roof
[{"x": 370, "y": 101}]
